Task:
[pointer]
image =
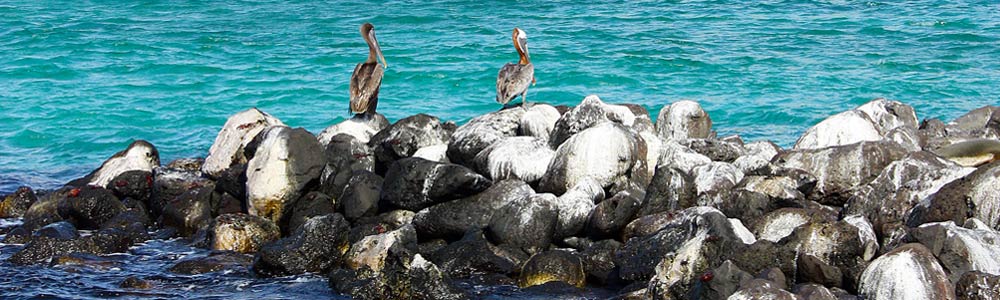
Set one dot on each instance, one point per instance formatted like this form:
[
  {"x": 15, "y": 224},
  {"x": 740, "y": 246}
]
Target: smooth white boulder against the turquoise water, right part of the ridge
[{"x": 845, "y": 128}]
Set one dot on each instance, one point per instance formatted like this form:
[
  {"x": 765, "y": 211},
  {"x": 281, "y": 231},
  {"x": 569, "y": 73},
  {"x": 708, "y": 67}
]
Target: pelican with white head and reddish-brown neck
[{"x": 514, "y": 79}]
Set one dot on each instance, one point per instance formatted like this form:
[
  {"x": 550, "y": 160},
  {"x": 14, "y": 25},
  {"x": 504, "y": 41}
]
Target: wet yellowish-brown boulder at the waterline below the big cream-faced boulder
[{"x": 241, "y": 233}]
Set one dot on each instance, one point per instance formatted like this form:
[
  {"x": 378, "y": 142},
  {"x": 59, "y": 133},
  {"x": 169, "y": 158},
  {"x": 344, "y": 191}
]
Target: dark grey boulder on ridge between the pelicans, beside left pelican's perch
[{"x": 403, "y": 138}]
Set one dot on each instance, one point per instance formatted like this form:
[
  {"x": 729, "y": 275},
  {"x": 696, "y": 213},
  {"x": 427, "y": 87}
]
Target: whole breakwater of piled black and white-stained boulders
[{"x": 869, "y": 204}]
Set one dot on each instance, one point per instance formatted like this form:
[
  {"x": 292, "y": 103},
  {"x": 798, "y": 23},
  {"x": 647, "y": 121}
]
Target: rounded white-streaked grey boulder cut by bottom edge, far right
[{"x": 909, "y": 272}]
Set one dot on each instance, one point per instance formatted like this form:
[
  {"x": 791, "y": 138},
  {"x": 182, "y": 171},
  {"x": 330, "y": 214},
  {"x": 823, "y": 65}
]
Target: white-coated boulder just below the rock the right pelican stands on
[{"x": 524, "y": 158}]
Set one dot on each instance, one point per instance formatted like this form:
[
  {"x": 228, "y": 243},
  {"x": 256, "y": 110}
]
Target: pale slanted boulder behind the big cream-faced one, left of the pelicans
[{"x": 236, "y": 134}]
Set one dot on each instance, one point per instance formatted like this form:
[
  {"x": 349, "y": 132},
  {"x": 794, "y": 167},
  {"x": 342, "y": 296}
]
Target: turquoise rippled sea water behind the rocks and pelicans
[{"x": 79, "y": 80}]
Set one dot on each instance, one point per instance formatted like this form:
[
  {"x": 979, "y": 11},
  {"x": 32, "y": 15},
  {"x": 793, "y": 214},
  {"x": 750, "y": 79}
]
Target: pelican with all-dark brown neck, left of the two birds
[{"x": 367, "y": 76}]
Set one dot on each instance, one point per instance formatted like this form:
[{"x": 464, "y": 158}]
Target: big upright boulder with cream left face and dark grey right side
[{"x": 285, "y": 162}]
